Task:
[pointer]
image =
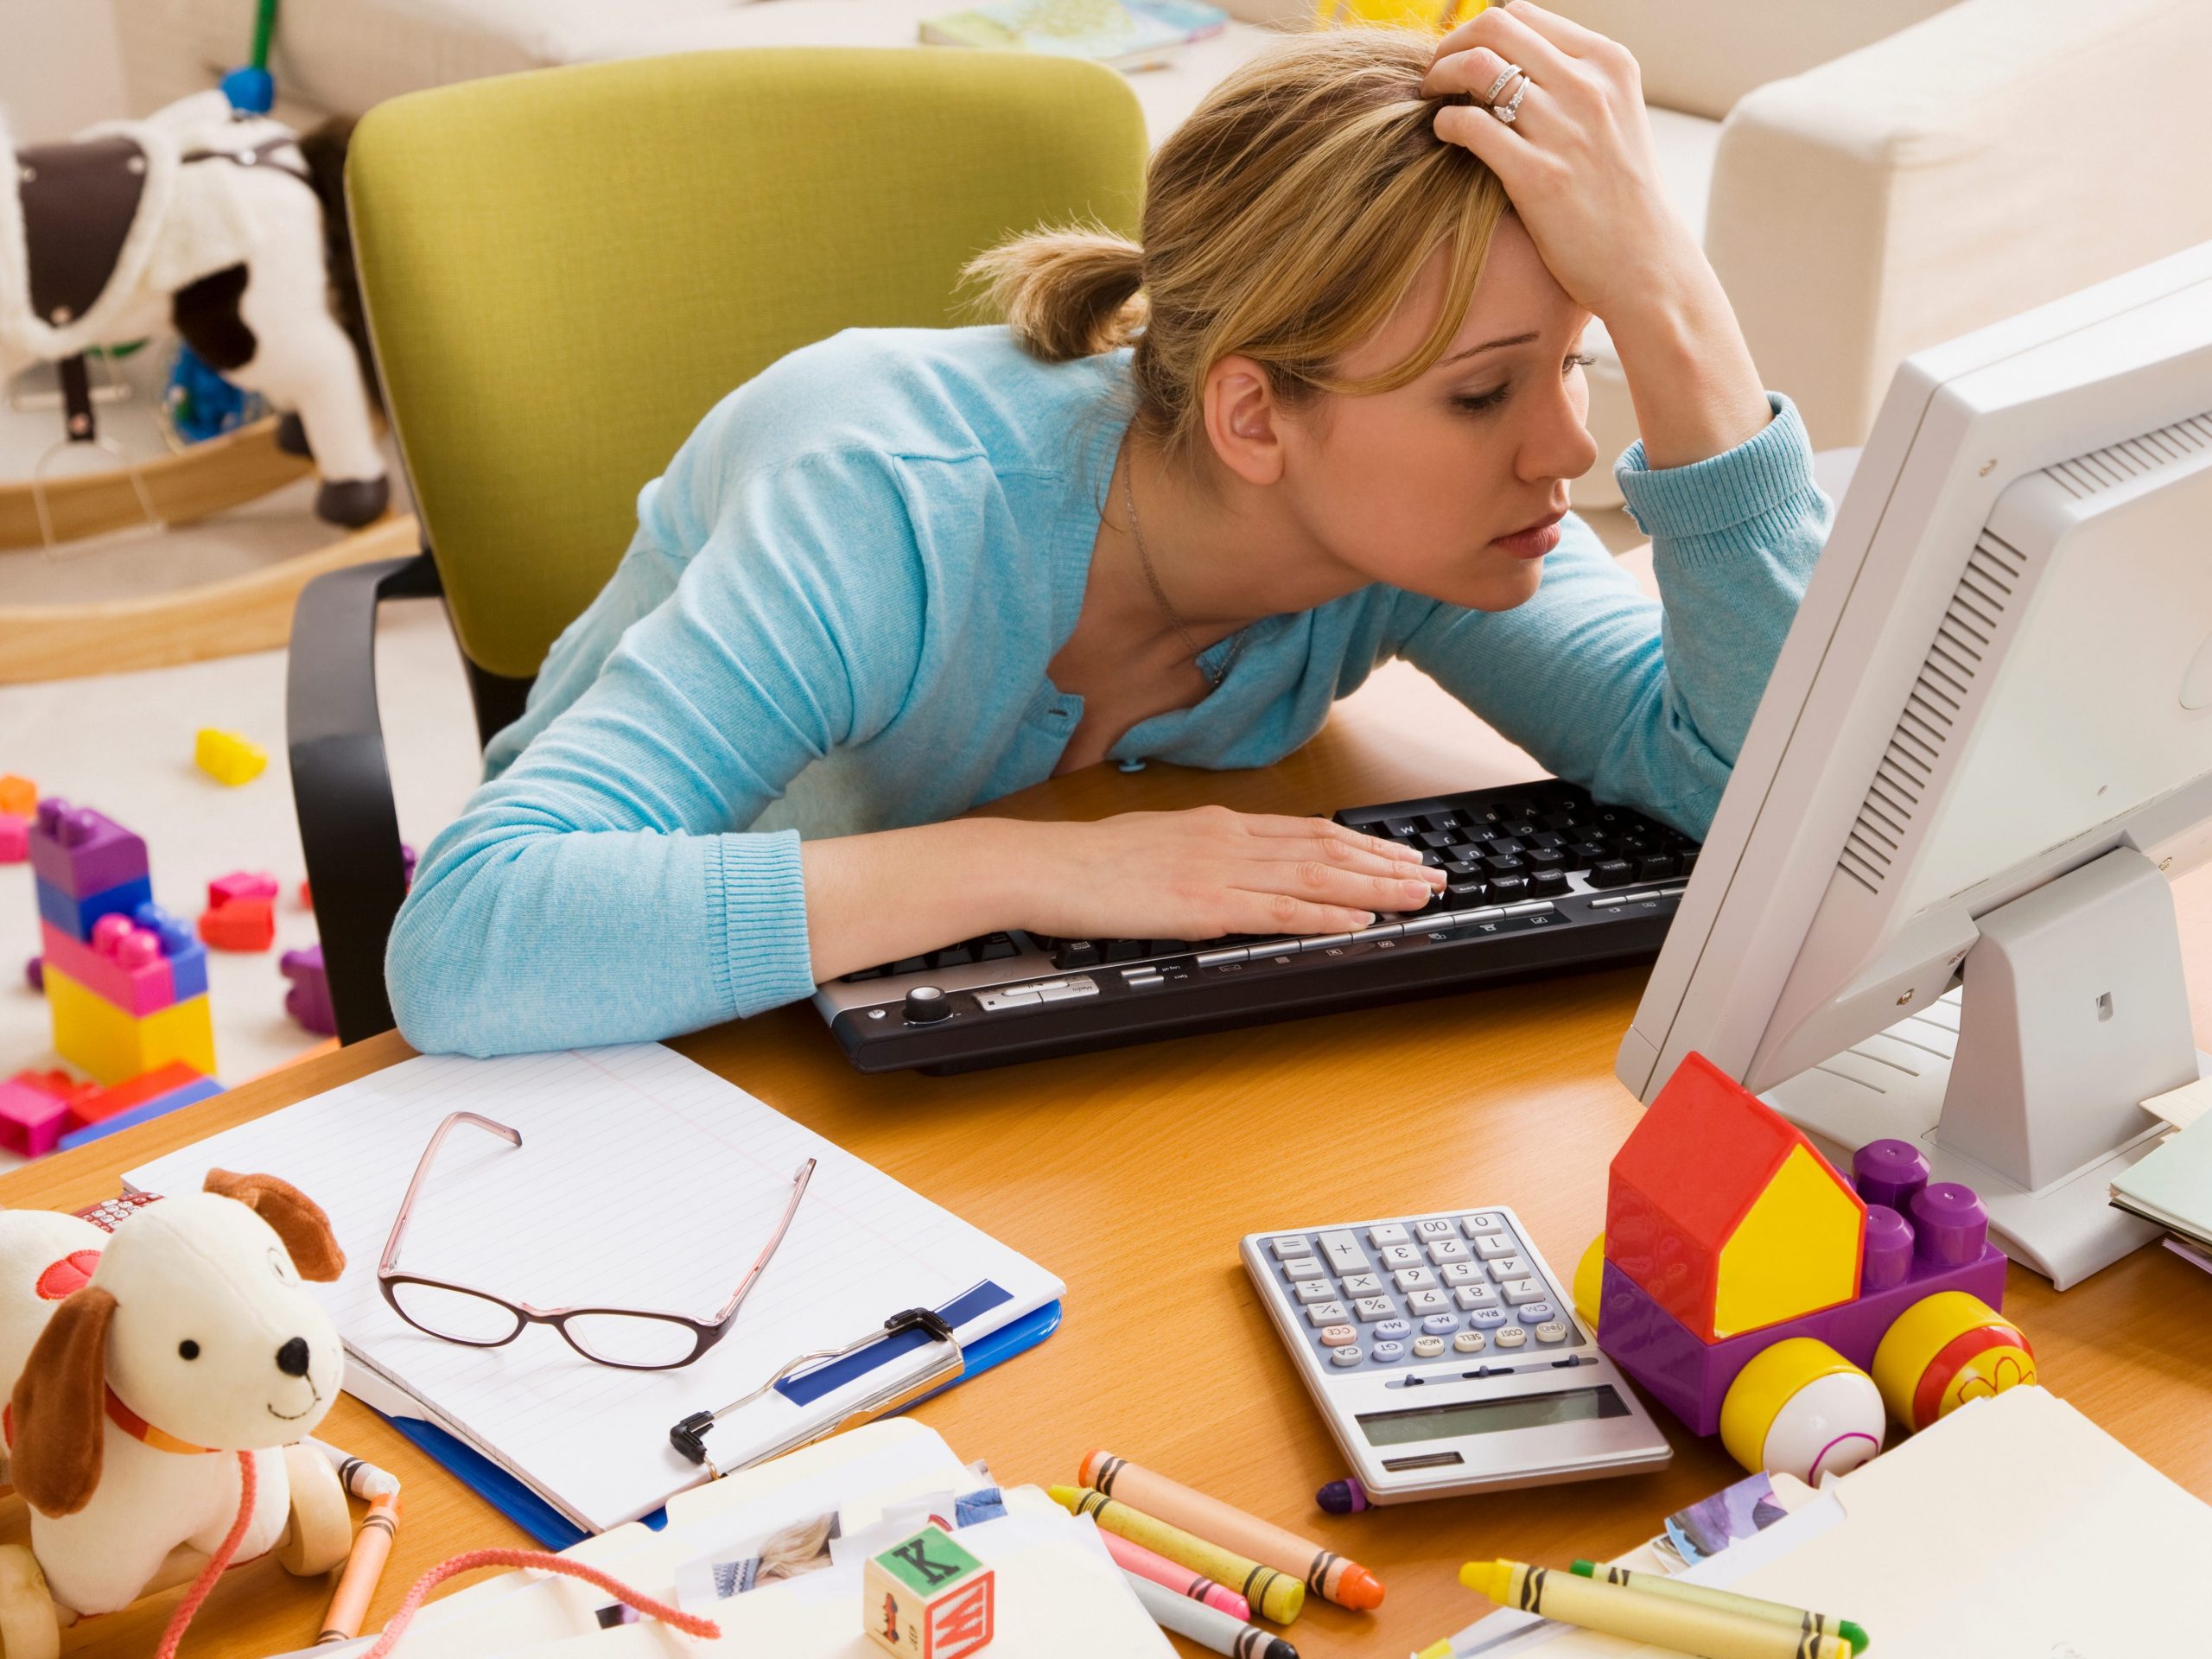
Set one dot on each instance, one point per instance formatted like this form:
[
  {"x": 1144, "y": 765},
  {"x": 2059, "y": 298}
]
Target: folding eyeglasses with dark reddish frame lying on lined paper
[{"x": 625, "y": 1337}]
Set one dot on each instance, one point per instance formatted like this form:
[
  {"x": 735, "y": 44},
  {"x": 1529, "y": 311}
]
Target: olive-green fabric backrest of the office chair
[{"x": 565, "y": 271}]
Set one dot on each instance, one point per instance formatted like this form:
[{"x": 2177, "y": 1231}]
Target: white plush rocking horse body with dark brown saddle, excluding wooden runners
[{"x": 227, "y": 227}]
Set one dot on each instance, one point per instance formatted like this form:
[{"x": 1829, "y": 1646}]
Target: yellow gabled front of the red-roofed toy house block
[{"x": 1795, "y": 1253}]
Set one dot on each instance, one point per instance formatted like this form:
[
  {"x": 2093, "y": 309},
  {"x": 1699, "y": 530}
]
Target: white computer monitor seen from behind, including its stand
[{"x": 1934, "y": 904}]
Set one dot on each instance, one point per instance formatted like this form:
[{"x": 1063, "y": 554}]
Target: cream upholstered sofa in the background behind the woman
[{"x": 1868, "y": 180}]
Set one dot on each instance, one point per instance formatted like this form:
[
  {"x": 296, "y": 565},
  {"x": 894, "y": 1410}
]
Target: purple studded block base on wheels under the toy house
[{"x": 1943, "y": 1246}]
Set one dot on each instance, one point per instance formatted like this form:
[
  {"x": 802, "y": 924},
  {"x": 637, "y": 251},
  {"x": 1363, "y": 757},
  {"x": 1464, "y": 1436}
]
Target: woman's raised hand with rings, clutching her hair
[{"x": 1578, "y": 160}]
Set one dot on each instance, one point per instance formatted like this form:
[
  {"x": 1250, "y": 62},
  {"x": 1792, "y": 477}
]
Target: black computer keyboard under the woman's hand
[{"x": 1541, "y": 879}]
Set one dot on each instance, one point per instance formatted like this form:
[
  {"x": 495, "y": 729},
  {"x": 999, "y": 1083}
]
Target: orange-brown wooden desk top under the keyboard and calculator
[{"x": 1134, "y": 1173}]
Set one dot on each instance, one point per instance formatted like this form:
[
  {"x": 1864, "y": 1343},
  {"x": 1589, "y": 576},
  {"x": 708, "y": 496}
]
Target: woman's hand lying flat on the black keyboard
[{"x": 1209, "y": 873}]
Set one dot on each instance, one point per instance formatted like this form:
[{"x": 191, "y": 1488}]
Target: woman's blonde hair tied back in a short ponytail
[{"x": 1286, "y": 220}]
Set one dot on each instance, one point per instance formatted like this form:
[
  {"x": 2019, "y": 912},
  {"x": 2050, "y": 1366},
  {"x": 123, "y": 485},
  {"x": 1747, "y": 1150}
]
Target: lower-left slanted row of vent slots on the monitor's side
[{"x": 1934, "y": 709}]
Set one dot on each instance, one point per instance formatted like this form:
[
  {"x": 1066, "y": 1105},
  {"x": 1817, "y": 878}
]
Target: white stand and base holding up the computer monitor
[{"x": 2027, "y": 1083}]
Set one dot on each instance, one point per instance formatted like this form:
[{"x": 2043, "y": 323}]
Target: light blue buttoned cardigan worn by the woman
[{"x": 839, "y": 612}]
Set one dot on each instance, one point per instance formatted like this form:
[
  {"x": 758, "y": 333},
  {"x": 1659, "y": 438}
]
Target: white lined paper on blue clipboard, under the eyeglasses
[{"x": 643, "y": 1182}]
